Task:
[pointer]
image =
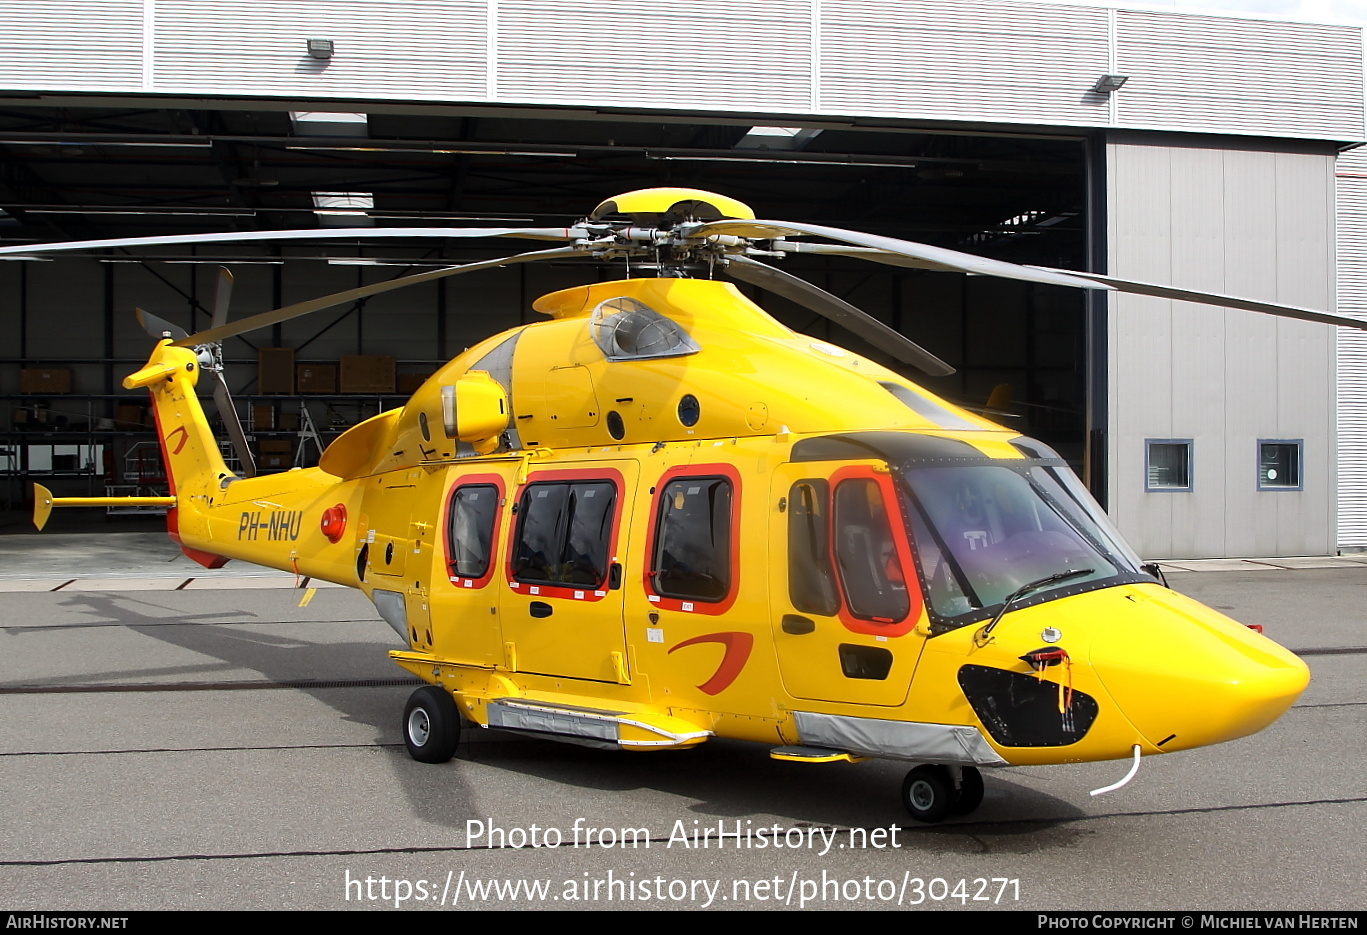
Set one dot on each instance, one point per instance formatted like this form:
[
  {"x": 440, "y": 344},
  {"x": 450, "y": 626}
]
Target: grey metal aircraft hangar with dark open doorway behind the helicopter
[{"x": 1186, "y": 150}]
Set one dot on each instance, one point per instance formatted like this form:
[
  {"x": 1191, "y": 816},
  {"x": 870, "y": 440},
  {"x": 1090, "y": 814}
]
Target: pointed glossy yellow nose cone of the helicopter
[{"x": 1190, "y": 676}]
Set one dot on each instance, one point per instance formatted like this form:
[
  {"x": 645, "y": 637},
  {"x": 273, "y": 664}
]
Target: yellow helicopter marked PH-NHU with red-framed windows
[{"x": 661, "y": 517}]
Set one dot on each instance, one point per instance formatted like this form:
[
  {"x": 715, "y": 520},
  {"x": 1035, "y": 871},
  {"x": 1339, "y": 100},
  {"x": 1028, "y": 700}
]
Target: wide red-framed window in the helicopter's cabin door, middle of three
[{"x": 564, "y": 532}]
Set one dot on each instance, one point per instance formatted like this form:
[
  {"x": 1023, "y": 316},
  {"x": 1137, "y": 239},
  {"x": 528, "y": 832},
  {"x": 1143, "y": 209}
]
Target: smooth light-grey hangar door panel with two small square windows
[{"x": 1246, "y": 222}]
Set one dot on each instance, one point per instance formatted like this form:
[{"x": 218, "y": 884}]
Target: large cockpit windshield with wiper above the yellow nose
[{"x": 982, "y": 531}]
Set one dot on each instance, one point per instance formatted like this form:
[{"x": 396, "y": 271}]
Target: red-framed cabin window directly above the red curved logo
[{"x": 694, "y": 541}]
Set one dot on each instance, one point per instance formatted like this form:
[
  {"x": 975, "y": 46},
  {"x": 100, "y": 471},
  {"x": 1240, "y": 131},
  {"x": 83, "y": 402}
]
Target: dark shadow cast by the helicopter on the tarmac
[{"x": 718, "y": 781}]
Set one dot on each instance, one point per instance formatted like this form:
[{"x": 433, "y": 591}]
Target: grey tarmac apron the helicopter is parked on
[{"x": 162, "y": 748}]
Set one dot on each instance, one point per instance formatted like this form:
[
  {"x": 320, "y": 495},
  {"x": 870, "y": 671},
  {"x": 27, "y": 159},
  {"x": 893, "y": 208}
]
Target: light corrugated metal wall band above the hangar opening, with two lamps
[{"x": 969, "y": 61}]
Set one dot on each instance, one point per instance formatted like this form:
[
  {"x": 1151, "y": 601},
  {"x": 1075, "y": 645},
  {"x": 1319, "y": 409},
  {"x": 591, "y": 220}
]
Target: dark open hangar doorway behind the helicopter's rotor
[{"x": 143, "y": 169}]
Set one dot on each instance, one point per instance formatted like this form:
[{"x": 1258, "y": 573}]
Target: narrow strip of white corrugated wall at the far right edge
[{"x": 1353, "y": 351}]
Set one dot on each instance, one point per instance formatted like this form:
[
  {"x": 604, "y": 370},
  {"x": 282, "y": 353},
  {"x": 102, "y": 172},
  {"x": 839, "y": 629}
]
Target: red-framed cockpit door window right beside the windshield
[{"x": 866, "y": 556}]
